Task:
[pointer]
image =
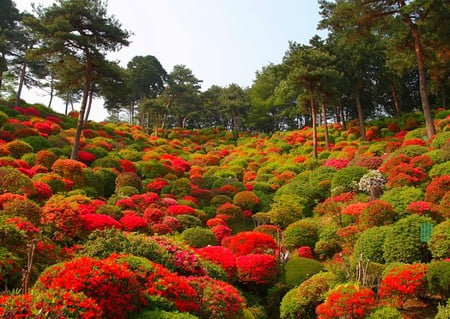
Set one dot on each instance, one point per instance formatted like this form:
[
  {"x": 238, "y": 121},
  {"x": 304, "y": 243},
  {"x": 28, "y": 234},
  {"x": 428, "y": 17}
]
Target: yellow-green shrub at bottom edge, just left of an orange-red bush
[{"x": 301, "y": 302}]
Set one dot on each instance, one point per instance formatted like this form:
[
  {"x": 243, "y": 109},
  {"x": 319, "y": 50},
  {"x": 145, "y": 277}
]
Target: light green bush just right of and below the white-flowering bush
[{"x": 401, "y": 197}]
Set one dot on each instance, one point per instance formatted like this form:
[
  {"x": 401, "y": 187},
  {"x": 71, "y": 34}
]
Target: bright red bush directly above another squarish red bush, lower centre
[{"x": 250, "y": 242}]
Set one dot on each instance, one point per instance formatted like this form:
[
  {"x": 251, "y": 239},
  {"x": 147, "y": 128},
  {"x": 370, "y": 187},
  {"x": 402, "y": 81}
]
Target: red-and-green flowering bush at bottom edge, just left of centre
[{"x": 218, "y": 300}]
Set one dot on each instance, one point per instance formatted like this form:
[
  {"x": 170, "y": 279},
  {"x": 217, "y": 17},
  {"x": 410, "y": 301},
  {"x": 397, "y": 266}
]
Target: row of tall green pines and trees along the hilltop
[{"x": 379, "y": 57}]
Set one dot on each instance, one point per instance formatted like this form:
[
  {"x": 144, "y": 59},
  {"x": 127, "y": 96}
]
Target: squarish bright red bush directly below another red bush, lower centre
[{"x": 257, "y": 268}]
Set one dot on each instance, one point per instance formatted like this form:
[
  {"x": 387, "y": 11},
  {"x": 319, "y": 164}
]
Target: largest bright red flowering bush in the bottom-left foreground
[{"x": 112, "y": 285}]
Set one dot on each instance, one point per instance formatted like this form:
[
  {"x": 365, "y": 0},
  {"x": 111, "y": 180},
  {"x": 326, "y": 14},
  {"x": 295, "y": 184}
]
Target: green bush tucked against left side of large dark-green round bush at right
[{"x": 370, "y": 244}]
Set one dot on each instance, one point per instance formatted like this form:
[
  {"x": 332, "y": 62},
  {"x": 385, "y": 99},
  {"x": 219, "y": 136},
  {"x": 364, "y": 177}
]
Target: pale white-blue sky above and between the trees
[{"x": 221, "y": 41}]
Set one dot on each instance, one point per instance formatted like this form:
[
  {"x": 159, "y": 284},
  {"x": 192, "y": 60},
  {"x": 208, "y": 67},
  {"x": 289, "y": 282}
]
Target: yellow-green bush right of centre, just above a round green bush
[{"x": 287, "y": 209}]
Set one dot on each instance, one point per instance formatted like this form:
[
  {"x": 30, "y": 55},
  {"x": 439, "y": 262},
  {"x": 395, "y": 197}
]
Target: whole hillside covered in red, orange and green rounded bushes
[{"x": 204, "y": 224}]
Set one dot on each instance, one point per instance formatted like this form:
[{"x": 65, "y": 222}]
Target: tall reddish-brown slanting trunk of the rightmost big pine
[{"x": 431, "y": 130}]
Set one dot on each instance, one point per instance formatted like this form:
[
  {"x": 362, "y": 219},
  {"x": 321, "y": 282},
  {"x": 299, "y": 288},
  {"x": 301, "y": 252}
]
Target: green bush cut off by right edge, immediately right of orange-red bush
[{"x": 438, "y": 278}]
